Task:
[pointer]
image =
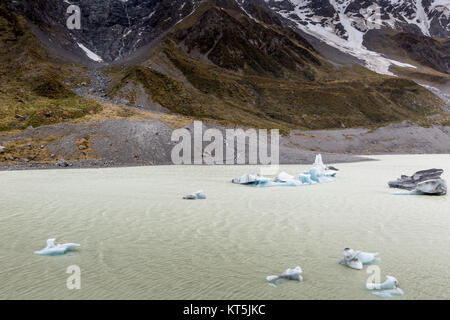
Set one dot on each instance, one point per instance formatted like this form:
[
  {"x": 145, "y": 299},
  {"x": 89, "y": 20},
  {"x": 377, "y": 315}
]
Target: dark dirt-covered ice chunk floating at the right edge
[{"x": 426, "y": 182}]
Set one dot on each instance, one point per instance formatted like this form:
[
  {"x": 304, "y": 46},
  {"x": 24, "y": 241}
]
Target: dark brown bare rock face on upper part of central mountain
[{"x": 233, "y": 41}]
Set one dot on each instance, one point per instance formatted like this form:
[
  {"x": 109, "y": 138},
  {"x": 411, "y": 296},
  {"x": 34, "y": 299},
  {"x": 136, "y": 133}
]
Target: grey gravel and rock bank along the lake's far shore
[{"x": 124, "y": 143}]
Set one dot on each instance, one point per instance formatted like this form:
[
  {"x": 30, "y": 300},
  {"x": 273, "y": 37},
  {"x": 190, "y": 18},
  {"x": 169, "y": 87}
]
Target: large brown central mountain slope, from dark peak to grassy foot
[{"x": 219, "y": 64}]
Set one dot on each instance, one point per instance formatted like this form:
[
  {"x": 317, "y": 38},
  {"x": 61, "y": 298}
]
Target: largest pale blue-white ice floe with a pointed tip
[{"x": 319, "y": 173}]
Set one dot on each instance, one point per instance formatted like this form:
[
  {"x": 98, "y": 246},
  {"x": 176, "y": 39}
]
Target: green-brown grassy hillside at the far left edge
[{"x": 34, "y": 86}]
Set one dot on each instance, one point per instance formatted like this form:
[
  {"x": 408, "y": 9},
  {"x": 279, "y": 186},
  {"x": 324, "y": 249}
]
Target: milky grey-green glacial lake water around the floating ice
[{"x": 140, "y": 240}]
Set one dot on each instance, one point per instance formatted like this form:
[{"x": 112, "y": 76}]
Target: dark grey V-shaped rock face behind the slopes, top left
[{"x": 111, "y": 29}]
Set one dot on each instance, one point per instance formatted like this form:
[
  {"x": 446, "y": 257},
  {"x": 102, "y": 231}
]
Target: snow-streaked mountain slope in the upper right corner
[{"x": 343, "y": 24}]
